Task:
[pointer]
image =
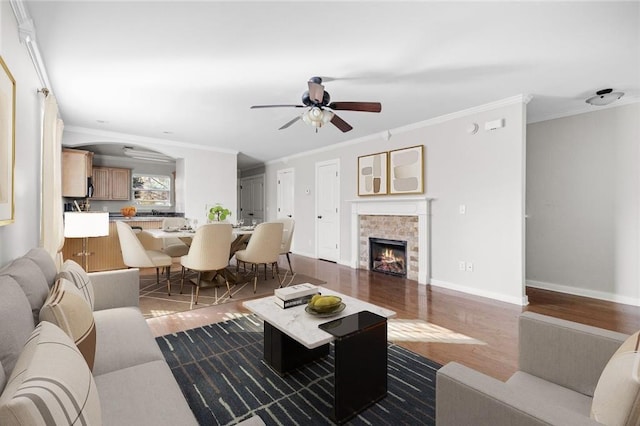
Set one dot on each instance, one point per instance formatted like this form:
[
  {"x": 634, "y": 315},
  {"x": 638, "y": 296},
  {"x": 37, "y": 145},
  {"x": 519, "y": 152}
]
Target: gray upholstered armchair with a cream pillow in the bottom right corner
[{"x": 569, "y": 374}]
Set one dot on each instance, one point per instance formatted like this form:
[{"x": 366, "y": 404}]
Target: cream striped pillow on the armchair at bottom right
[{"x": 616, "y": 400}]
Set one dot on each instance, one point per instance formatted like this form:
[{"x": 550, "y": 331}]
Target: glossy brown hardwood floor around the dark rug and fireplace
[{"x": 491, "y": 322}]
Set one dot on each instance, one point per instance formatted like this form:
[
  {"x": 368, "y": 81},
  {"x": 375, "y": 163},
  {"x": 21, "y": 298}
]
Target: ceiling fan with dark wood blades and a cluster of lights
[{"x": 319, "y": 103}]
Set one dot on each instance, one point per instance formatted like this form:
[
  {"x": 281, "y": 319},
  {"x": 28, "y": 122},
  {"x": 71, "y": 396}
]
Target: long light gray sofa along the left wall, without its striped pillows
[{"x": 133, "y": 381}]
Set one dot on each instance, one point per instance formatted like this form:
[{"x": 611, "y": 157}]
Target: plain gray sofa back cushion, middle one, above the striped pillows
[{"x": 32, "y": 281}]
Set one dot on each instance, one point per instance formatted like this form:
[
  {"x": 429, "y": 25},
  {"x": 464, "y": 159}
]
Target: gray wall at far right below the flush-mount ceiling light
[{"x": 583, "y": 204}]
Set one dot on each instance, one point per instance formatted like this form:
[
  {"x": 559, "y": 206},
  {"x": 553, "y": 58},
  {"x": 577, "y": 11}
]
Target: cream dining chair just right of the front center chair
[{"x": 263, "y": 249}]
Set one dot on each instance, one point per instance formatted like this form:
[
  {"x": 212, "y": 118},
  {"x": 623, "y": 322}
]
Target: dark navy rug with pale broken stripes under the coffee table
[{"x": 225, "y": 380}]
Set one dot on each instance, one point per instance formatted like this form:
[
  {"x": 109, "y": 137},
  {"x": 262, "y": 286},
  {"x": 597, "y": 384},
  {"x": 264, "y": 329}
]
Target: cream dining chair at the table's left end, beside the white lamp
[{"x": 135, "y": 255}]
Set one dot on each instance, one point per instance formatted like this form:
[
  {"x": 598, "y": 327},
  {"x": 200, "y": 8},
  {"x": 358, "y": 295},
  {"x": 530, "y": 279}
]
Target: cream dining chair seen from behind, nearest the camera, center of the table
[{"x": 209, "y": 251}]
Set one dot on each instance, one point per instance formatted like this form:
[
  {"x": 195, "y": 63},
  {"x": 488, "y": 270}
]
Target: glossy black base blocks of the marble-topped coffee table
[{"x": 360, "y": 366}]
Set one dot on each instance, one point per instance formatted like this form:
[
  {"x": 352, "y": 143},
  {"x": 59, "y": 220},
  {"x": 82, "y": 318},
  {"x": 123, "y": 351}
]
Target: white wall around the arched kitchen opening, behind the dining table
[{"x": 203, "y": 176}]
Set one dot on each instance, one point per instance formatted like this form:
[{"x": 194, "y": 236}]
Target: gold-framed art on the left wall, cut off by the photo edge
[{"x": 7, "y": 143}]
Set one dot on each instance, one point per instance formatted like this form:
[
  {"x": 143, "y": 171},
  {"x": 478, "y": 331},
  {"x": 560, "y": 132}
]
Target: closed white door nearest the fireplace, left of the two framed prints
[{"x": 327, "y": 210}]
